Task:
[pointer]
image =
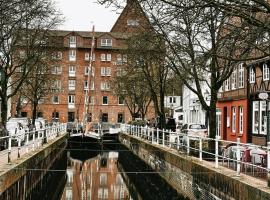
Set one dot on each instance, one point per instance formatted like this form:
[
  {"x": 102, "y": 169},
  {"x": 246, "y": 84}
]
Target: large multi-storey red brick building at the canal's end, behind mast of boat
[{"x": 67, "y": 101}]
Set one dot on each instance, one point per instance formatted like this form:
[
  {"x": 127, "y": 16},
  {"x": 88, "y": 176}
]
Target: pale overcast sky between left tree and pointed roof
[{"x": 80, "y": 13}]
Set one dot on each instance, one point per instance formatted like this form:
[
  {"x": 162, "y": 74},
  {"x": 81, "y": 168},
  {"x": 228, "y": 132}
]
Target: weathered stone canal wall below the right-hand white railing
[{"x": 195, "y": 179}]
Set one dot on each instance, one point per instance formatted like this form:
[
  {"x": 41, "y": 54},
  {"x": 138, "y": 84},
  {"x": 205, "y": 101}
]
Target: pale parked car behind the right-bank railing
[{"x": 194, "y": 130}]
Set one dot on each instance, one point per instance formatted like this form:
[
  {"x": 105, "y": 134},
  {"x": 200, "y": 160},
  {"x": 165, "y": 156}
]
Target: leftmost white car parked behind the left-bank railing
[{"x": 15, "y": 130}]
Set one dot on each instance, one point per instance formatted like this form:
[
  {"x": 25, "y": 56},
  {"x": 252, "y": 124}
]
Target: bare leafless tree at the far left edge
[{"x": 23, "y": 33}]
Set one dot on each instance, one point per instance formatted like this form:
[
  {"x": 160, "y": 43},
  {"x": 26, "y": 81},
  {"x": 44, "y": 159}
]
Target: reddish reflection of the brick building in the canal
[{"x": 96, "y": 178}]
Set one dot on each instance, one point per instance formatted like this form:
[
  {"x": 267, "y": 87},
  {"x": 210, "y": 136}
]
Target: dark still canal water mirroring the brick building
[{"x": 109, "y": 171}]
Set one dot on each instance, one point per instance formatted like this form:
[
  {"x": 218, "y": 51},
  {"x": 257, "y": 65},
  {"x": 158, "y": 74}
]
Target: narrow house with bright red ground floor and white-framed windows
[{"x": 232, "y": 107}]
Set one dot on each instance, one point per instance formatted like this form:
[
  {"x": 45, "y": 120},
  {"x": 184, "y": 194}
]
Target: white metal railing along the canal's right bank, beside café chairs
[{"x": 245, "y": 158}]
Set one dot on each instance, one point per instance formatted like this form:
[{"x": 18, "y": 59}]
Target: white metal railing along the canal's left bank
[{"x": 26, "y": 141}]
